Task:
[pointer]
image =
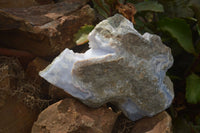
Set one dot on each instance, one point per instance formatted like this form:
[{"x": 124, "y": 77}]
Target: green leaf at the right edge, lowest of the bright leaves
[{"x": 193, "y": 89}]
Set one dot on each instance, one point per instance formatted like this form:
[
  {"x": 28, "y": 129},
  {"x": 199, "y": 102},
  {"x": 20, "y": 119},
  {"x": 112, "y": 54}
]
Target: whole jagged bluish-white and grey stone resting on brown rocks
[{"x": 122, "y": 67}]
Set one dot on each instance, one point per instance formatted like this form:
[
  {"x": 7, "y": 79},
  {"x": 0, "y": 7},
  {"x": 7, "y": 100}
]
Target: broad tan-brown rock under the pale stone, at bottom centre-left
[{"x": 71, "y": 116}]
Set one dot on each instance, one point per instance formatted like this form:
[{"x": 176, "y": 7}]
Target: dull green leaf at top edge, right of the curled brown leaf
[{"x": 149, "y": 6}]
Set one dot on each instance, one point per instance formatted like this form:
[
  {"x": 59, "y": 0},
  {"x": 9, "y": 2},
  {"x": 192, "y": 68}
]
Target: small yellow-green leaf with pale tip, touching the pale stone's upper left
[{"x": 81, "y": 36}]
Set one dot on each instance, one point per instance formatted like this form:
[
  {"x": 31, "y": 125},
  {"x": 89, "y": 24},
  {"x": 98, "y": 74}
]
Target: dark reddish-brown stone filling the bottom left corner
[{"x": 16, "y": 117}]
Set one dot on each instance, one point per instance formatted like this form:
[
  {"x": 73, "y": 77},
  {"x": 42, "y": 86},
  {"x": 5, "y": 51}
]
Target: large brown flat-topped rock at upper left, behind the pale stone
[{"x": 44, "y": 30}]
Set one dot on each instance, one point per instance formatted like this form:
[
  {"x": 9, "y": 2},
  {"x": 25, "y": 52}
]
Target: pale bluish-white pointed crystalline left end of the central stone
[{"x": 59, "y": 72}]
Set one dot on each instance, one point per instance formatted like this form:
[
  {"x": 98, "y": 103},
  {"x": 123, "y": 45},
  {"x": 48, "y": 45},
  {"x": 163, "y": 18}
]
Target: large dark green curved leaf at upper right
[{"x": 180, "y": 30}]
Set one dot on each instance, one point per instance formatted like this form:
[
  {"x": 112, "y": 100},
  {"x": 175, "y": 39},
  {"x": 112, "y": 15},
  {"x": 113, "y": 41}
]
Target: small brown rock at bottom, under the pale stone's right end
[{"x": 160, "y": 123}]
